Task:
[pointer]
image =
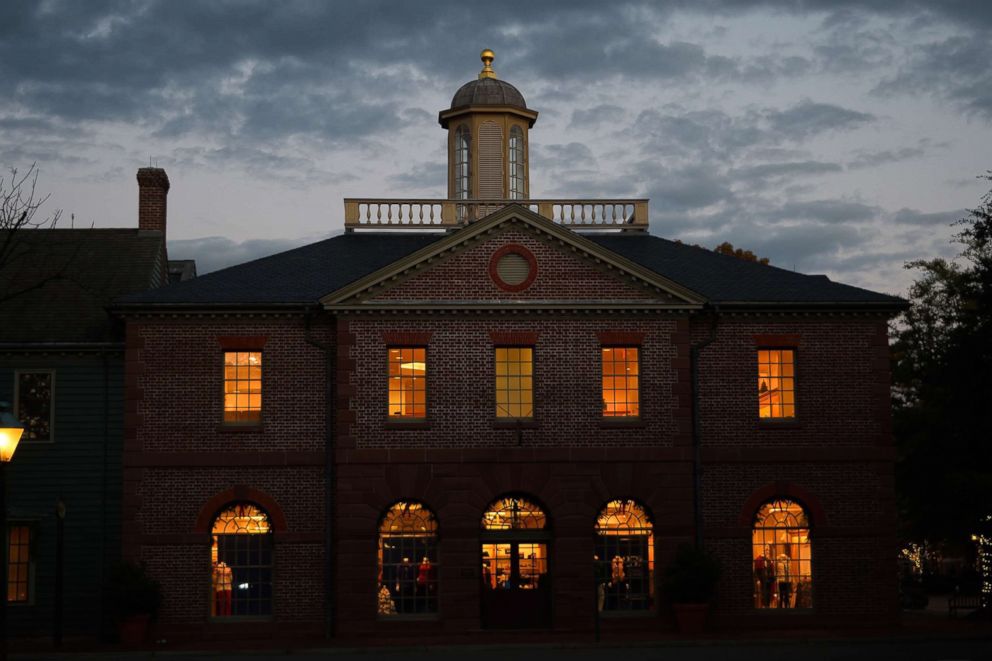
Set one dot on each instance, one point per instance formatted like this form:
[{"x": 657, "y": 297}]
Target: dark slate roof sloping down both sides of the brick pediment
[{"x": 303, "y": 275}]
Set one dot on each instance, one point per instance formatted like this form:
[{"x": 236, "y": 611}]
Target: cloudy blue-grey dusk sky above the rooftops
[{"x": 832, "y": 136}]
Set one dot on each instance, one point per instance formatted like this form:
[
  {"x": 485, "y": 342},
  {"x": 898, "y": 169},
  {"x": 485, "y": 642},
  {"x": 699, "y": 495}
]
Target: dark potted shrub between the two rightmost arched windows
[{"x": 690, "y": 583}]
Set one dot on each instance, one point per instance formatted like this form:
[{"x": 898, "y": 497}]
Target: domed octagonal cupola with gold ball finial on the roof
[{"x": 487, "y": 127}]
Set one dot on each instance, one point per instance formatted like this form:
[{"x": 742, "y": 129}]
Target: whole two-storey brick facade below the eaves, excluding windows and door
[{"x": 838, "y": 454}]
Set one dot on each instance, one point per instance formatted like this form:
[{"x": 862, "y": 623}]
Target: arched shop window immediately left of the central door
[{"x": 408, "y": 560}]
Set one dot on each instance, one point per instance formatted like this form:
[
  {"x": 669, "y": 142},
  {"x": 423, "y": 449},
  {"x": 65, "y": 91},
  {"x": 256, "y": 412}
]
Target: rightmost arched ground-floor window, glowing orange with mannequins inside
[{"x": 781, "y": 556}]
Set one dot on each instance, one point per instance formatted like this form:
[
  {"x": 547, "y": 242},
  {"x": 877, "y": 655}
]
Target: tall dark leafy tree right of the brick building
[{"x": 942, "y": 373}]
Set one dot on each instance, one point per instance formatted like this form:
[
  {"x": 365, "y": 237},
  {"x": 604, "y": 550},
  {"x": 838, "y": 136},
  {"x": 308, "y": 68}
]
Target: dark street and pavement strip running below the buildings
[{"x": 923, "y": 636}]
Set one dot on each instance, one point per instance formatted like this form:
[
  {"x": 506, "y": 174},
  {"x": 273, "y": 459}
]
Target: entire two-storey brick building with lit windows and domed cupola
[{"x": 492, "y": 411}]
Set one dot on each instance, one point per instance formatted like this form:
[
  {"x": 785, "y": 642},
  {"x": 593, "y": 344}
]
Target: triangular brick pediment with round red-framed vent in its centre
[{"x": 513, "y": 258}]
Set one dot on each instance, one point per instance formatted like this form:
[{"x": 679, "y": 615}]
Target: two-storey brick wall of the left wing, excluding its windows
[{"x": 179, "y": 459}]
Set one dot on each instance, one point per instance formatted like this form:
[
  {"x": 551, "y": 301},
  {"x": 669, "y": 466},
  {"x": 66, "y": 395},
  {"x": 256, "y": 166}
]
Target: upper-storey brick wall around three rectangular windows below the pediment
[{"x": 567, "y": 391}]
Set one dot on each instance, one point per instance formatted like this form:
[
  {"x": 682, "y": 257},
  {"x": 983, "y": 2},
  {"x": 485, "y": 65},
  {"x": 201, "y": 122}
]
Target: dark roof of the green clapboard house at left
[{"x": 56, "y": 284}]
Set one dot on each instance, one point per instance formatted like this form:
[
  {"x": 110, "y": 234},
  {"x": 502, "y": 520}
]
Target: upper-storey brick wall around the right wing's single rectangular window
[{"x": 842, "y": 382}]
